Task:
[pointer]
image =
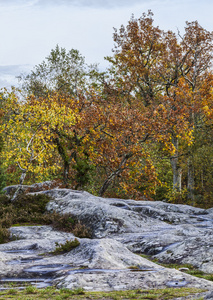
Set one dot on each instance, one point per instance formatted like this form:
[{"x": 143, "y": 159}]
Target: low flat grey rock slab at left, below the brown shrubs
[{"x": 31, "y": 242}]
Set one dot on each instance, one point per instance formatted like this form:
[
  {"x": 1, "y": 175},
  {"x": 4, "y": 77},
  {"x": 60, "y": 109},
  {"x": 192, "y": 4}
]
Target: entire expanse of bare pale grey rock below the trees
[{"x": 121, "y": 229}]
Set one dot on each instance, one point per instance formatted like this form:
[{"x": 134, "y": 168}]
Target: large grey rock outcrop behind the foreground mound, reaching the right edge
[{"x": 170, "y": 232}]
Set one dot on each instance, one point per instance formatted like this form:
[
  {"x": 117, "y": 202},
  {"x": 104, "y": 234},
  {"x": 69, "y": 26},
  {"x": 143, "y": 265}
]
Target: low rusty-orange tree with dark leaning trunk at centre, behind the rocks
[{"x": 116, "y": 144}]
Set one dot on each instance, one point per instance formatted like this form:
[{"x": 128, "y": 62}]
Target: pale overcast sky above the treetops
[{"x": 31, "y": 28}]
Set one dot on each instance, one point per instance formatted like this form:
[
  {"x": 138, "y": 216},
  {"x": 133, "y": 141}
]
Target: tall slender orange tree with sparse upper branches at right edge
[{"x": 199, "y": 43}]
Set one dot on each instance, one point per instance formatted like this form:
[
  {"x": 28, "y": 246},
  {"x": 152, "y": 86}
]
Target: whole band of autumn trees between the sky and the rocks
[{"x": 141, "y": 128}]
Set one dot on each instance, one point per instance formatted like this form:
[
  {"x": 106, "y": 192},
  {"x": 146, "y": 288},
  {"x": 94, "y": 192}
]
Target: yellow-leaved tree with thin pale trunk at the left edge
[{"x": 30, "y": 131}]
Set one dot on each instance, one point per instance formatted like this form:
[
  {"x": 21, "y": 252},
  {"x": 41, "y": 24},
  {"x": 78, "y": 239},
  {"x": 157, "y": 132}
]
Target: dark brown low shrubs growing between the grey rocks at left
[{"x": 29, "y": 210}]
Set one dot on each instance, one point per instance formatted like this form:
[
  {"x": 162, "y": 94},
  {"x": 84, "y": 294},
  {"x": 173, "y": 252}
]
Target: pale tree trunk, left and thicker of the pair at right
[{"x": 177, "y": 171}]
